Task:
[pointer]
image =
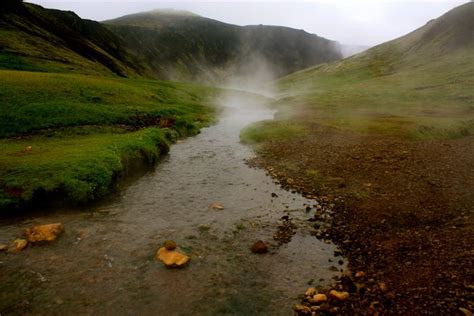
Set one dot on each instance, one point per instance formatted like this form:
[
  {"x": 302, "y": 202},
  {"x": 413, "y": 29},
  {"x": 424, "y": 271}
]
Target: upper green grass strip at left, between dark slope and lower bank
[{"x": 33, "y": 101}]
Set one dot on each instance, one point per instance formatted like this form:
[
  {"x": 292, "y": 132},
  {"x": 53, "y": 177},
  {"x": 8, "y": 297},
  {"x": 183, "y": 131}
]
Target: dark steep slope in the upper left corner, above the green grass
[{"x": 34, "y": 38}]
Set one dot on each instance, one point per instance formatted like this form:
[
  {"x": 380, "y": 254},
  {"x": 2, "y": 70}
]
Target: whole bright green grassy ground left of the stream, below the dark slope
[{"x": 82, "y": 131}]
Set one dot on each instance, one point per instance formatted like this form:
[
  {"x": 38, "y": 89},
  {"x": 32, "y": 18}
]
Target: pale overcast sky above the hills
[{"x": 349, "y": 22}]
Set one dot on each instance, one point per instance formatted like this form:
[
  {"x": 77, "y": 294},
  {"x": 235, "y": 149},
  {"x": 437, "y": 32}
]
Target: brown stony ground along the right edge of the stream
[{"x": 404, "y": 216}]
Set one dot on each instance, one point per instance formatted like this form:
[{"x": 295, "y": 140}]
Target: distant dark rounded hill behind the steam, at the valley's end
[{"x": 180, "y": 45}]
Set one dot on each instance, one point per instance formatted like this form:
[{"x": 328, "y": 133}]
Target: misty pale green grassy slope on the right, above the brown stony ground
[{"x": 415, "y": 87}]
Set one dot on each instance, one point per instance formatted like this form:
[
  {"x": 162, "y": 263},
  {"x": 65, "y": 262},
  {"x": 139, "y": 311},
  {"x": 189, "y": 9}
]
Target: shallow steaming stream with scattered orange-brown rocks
[{"x": 104, "y": 263}]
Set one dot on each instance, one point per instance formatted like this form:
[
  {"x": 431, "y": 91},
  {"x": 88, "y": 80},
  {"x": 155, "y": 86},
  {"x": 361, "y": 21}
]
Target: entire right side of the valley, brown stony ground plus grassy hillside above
[{"x": 388, "y": 137}]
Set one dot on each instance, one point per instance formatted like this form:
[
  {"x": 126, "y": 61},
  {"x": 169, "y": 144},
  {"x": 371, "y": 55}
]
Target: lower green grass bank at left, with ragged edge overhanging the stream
[{"x": 73, "y": 168}]
